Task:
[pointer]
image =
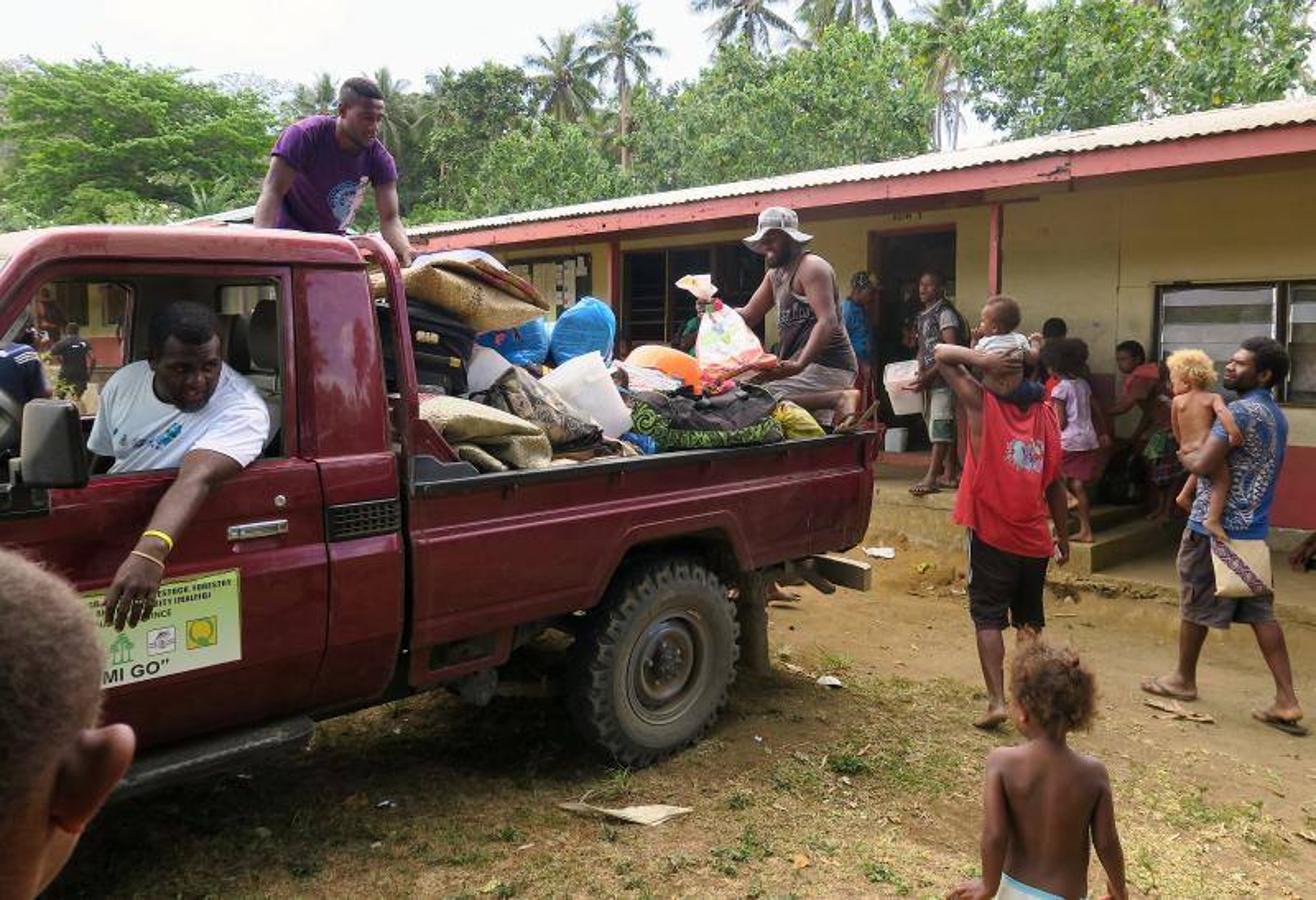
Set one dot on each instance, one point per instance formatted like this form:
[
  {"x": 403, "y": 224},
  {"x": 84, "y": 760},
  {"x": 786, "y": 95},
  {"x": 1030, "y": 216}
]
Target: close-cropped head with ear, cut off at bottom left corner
[{"x": 57, "y": 768}]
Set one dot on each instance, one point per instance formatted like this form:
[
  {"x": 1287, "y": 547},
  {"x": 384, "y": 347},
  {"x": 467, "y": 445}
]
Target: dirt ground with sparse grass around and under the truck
[{"x": 872, "y": 790}]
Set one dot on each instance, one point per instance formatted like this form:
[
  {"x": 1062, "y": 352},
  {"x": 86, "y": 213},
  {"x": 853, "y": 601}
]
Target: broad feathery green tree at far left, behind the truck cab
[{"x": 106, "y": 141}]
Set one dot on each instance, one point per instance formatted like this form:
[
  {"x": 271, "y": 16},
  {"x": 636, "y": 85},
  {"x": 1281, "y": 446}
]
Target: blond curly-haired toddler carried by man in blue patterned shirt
[{"x": 1194, "y": 411}]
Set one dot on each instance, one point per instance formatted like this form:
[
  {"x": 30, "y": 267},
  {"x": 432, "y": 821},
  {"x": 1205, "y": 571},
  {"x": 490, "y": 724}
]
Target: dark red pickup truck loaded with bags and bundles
[{"x": 359, "y": 560}]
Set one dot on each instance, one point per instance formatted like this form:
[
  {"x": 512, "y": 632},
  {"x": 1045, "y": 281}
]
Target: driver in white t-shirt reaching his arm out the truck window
[{"x": 181, "y": 407}]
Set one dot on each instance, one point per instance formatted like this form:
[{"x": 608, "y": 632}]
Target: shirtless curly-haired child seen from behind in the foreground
[{"x": 1044, "y": 806}]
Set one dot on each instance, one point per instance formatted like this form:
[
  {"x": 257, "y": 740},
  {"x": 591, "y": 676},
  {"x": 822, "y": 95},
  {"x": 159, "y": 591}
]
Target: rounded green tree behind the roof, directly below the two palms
[{"x": 548, "y": 164}]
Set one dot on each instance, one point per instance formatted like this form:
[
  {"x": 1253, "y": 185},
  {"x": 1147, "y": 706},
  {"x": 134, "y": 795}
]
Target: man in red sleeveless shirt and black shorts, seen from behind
[{"x": 1010, "y": 497}]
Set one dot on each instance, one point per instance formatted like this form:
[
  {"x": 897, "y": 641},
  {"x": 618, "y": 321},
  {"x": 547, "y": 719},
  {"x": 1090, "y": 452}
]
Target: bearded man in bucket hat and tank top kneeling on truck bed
[{"x": 818, "y": 366}]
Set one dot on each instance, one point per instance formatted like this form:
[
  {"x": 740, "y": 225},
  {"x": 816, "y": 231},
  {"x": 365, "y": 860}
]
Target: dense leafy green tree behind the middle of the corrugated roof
[{"x": 856, "y": 98}]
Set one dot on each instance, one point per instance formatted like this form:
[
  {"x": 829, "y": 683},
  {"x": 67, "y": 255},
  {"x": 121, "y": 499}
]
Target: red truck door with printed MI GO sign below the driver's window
[{"x": 240, "y": 632}]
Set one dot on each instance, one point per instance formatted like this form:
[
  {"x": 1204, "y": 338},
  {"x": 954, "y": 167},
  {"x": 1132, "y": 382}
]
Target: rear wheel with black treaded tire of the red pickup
[{"x": 656, "y": 662}]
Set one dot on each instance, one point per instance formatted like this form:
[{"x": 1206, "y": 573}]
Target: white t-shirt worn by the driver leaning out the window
[{"x": 141, "y": 434}]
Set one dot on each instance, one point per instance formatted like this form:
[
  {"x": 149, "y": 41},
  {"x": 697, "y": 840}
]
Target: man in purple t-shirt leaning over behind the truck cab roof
[{"x": 320, "y": 166}]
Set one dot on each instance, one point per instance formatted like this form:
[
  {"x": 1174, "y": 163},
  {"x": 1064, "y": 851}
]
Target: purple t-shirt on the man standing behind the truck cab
[{"x": 331, "y": 184}]
